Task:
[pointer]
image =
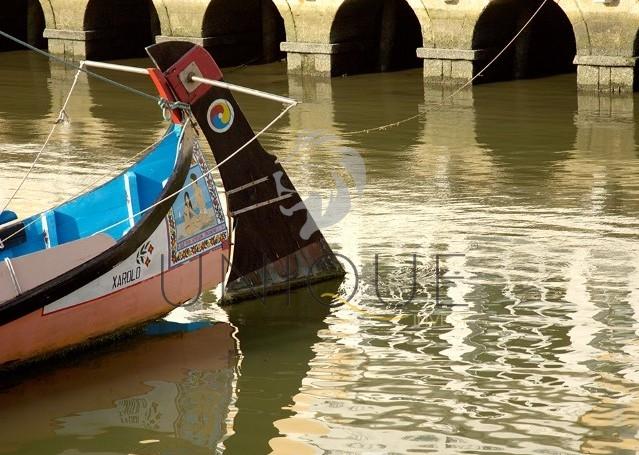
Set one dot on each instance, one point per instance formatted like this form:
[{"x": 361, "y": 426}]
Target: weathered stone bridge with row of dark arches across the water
[{"x": 452, "y": 39}]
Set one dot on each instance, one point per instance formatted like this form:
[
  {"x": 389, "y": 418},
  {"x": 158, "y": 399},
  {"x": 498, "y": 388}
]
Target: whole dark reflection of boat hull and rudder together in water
[{"x": 171, "y": 389}]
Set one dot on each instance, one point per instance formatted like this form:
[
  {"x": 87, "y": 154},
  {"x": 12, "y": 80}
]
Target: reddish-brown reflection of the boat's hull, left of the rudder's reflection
[{"x": 170, "y": 388}]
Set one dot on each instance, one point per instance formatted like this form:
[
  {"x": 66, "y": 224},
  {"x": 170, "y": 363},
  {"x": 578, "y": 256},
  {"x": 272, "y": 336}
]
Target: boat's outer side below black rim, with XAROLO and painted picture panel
[{"x": 187, "y": 254}]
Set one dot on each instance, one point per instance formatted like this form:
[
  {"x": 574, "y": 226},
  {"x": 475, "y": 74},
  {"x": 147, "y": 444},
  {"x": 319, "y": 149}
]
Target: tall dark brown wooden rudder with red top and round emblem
[{"x": 269, "y": 214}]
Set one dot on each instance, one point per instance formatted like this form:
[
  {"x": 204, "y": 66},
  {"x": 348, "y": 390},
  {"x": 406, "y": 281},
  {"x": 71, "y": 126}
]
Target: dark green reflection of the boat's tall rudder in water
[{"x": 277, "y": 337}]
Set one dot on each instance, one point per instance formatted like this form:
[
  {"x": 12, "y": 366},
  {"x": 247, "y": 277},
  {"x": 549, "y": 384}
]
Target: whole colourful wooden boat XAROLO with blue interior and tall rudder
[{"x": 95, "y": 265}]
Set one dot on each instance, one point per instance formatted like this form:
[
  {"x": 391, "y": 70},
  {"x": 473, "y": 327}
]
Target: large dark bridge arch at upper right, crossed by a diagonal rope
[{"x": 547, "y": 46}]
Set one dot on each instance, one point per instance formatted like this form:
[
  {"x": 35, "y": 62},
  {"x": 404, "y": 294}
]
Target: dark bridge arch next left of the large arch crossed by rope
[{"x": 375, "y": 35}]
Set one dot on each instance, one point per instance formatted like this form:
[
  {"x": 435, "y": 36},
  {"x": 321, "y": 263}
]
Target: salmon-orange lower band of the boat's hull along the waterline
[{"x": 39, "y": 334}]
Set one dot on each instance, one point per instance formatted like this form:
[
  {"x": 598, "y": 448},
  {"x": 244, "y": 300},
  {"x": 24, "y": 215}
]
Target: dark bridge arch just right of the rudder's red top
[{"x": 242, "y": 32}]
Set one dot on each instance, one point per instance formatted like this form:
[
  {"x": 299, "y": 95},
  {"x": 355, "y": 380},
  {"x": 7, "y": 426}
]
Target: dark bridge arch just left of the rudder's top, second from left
[{"x": 119, "y": 28}]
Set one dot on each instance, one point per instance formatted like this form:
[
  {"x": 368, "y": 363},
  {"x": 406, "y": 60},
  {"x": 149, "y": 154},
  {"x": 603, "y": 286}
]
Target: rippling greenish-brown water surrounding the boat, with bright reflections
[{"x": 533, "y": 347}]
